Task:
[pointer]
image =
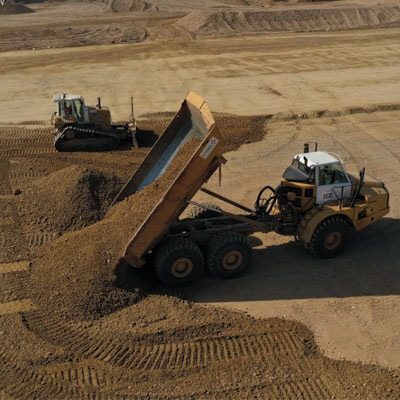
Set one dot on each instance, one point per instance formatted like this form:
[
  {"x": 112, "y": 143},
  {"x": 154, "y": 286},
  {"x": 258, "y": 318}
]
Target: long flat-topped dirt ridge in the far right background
[{"x": 205, "y": 22}]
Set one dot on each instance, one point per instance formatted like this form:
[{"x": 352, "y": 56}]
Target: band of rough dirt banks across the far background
[{"x": 125, "y": 21}]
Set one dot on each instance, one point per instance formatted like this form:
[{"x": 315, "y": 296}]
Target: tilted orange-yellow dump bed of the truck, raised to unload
[{"x": 194, "y": 136}]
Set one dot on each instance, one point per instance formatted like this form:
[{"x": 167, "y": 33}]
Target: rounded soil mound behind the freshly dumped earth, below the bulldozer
[{"x": 68, "y": 199}]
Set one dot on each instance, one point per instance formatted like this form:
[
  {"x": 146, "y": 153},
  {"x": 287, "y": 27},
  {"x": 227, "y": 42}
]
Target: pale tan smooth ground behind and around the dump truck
[{"x": 346, "y": 83}]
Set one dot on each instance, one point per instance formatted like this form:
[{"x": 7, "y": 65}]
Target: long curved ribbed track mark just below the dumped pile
[{"x": 170, "y": 355}]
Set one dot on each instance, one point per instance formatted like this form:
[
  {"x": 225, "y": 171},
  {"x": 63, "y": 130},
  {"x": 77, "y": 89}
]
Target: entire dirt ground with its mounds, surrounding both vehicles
[{"x": 76, "y": 321}]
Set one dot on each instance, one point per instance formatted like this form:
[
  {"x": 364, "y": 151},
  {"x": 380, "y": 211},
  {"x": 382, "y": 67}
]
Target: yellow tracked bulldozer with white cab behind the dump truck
[{"x": 79, "y": 127}]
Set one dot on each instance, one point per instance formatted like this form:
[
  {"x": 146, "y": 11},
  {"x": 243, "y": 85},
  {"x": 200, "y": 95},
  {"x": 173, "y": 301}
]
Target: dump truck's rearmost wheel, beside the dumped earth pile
[{"x": 178, "y": 261}]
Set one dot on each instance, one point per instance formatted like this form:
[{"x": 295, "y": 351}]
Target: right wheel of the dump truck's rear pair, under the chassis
[{"x": 228, "y": 254}]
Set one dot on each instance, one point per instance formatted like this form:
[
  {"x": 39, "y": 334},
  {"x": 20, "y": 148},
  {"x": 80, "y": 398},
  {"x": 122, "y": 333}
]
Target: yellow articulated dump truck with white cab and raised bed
[{"x": 317, "y": 202}]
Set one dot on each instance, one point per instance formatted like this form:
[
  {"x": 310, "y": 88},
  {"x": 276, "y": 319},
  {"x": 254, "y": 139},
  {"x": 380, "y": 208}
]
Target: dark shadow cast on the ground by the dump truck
[{"x": 369, "y": 266}]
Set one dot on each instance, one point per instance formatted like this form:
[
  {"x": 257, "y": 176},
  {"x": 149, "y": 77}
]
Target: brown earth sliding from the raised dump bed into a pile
[{"x": 74, "y": 275}]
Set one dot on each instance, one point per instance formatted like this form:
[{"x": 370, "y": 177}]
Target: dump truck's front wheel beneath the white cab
[{"x": 330, "y": 237}]
